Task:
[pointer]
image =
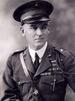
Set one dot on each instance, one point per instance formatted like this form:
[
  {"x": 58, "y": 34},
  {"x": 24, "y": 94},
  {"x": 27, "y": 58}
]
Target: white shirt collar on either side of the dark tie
[{"x": 40, "y": 52}]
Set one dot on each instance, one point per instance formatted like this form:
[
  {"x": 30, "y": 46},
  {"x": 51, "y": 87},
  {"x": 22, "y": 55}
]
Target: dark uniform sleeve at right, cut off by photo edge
[{"x": 70, "y": 70}]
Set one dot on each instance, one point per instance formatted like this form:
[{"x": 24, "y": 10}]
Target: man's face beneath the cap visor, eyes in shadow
[{"x": 36, "y": 34}]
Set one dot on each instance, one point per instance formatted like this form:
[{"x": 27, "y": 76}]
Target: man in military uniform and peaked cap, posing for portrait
[{"x": 40, "y": 72}]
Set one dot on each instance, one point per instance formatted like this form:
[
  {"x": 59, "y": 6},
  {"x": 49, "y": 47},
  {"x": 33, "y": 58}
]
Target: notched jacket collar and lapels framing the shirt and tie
[{"x": 44, "y": 65}]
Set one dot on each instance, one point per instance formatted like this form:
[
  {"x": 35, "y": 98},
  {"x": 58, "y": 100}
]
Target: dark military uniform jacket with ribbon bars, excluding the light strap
[{"x": 56, "y": 70}]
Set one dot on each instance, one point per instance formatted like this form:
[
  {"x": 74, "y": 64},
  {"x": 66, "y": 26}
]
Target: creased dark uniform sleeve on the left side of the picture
[{"x": 10, "y": 90}]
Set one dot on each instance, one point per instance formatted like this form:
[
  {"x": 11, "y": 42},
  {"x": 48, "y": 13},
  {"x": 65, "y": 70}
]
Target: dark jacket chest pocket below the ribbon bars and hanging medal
[{"x": 47, "y": 82}]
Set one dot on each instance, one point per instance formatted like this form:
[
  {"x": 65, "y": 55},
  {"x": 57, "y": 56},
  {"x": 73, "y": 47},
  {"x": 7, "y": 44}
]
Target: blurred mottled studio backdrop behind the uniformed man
[{"x": 62, "y": 28}]
